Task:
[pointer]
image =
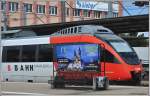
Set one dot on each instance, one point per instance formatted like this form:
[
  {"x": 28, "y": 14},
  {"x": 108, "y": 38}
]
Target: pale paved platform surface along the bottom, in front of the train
[{"x": 43, "y": 89}]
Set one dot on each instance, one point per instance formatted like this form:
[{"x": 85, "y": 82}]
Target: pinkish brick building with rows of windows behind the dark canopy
[{"x": 33, "y": 12}]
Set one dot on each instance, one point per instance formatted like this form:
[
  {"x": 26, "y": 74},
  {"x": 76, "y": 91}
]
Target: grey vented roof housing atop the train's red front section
[{"x": 83, "y": 29}]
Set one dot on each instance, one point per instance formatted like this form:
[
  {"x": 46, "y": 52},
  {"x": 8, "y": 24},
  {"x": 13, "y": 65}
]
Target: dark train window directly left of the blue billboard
[{"x": 45, "y": 53}]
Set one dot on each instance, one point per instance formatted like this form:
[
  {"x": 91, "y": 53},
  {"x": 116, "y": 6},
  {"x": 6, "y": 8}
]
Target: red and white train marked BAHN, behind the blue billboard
[{"x": 121, "y": 61}]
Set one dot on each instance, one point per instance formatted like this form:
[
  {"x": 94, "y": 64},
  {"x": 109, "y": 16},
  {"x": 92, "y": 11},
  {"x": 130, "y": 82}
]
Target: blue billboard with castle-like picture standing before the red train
[{"x": 77, "y": 57}]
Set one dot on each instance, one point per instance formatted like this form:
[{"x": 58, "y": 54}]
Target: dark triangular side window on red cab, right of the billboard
[{"x": 108, "y": 57}]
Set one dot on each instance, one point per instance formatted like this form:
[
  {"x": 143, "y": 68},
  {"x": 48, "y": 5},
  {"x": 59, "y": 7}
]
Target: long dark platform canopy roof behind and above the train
[{"x": 126, "y": 24}]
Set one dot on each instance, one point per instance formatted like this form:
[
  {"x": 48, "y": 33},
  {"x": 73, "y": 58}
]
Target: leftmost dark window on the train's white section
[{"x": 11, "y": 54}]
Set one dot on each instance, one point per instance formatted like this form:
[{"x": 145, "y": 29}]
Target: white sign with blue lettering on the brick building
[{"x": 92, "y": 5}]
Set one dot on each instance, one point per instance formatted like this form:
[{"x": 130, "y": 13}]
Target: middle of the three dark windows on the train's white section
[{"x": 28, "y": 53}]
